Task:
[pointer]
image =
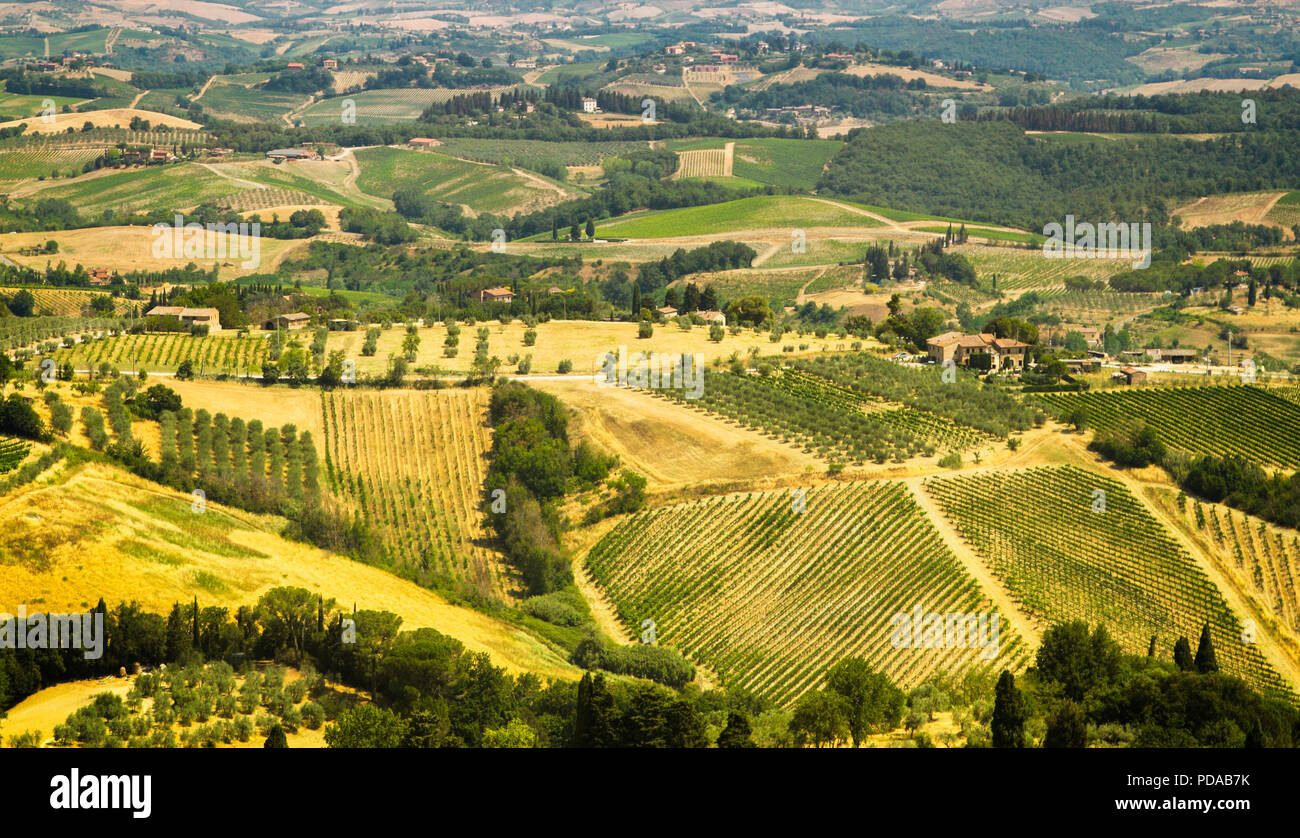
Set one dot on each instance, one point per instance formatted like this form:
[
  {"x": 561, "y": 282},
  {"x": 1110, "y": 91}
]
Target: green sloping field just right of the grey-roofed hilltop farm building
[{"x": 480, "y": 188}]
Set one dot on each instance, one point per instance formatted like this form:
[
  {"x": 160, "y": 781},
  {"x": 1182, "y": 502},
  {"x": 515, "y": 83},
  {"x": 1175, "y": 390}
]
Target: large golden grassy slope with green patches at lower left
[{"x": 101, "y": 532}]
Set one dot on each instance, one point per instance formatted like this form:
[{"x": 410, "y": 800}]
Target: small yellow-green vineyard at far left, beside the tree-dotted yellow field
[{"x": 164, "y": 353}]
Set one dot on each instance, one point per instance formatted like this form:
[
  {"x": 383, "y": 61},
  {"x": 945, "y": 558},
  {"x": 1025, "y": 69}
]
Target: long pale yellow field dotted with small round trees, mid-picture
[{"x": 577, "y": 341}]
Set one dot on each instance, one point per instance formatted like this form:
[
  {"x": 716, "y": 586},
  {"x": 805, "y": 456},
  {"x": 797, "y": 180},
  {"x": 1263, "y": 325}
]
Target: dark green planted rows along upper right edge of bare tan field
[{"x": 830, "y": 422}]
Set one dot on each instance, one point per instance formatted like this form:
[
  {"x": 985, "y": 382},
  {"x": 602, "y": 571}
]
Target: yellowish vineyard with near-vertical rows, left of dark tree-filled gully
[{"x": 414, "y": 464}]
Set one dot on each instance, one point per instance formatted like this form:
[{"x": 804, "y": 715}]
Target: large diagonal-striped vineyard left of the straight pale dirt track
[{"x": 769, "y": 597}]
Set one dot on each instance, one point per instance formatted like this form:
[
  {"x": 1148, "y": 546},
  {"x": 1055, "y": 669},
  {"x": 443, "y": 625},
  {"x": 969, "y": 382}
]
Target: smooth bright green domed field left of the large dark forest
[{"x": 764, "y": 212}]
